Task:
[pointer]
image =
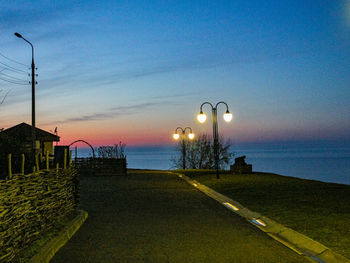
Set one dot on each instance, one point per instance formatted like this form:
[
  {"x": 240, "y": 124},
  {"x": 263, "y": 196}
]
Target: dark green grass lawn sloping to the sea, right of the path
[{"x": 316, "y": 209}]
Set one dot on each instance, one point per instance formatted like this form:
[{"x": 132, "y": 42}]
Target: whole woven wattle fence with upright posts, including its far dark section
[{"x": 33, "y": 203}]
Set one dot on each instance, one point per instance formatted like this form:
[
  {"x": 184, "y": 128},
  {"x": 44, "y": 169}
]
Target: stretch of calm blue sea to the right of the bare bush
[{"x": 323, "y": 164}]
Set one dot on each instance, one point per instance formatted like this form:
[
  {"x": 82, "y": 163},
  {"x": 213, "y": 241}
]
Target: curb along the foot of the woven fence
[{"x": 47, "y": 252}]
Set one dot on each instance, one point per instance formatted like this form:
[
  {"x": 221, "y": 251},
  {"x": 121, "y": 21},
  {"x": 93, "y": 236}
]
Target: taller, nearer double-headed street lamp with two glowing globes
[{"x": 202, "y": 118}]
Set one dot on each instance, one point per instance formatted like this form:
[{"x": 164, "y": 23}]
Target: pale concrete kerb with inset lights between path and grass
[{"x": 299, "y": 243}]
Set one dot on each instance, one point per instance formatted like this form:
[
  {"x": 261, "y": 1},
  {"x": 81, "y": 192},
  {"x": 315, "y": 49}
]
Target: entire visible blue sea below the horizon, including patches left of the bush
[{"x": 327, "y": 164}]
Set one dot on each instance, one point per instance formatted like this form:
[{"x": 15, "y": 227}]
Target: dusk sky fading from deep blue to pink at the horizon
[{"x": 133, "y": 71}]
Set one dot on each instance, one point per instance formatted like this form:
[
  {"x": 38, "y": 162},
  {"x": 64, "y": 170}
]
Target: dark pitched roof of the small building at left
[{"x": 23, "y": 131}]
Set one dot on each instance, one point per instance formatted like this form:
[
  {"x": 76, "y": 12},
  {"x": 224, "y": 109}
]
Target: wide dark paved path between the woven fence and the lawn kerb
[{"x": 156, "y": 217}]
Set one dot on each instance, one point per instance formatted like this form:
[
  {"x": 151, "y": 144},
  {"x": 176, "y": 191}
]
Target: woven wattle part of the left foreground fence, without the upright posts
[{"x": 31, "y": 204}]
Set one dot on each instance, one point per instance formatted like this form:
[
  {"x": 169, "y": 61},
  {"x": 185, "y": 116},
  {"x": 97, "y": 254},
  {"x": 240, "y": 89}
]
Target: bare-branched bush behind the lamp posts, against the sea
[{"x": 200, "y": 153}]
